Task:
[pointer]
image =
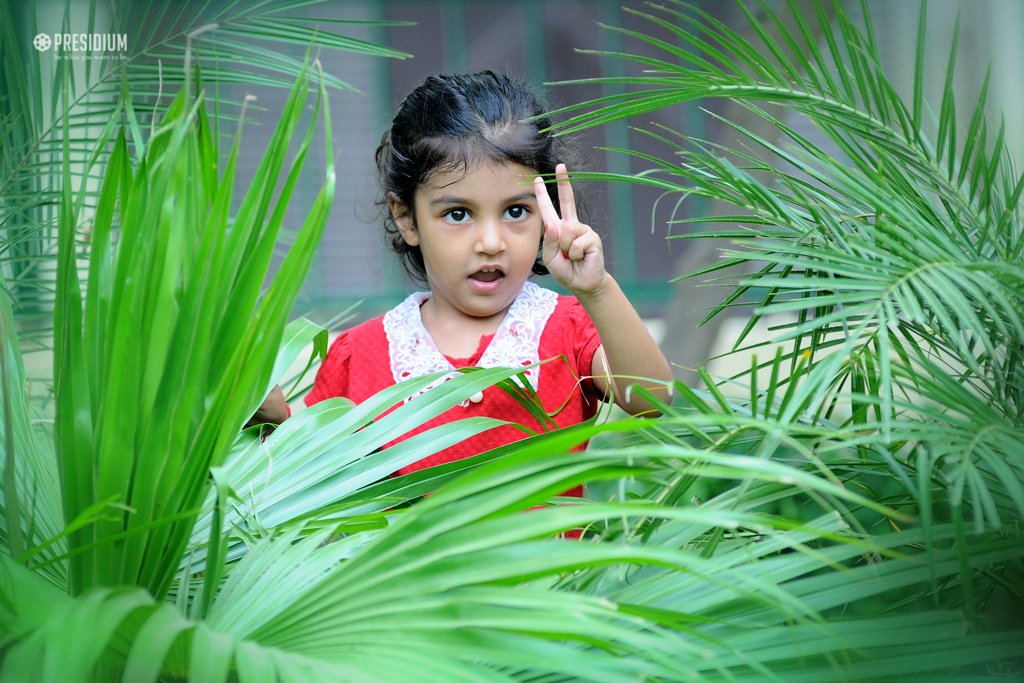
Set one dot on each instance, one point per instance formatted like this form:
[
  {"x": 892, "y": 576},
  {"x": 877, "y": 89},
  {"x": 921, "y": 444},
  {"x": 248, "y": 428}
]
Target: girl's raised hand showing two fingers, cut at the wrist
[{"x": 572, "y": 250}]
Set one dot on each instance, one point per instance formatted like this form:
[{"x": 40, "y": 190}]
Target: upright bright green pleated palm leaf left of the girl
[{"x": 184, "y": 283}]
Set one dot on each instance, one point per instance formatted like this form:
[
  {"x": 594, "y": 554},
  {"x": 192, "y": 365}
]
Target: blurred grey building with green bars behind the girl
[{"x": 549, "y": 41}]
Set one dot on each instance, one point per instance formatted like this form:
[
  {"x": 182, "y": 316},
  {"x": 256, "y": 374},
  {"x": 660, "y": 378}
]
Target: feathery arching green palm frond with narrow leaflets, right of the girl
[{"x": 894, "y": 247}]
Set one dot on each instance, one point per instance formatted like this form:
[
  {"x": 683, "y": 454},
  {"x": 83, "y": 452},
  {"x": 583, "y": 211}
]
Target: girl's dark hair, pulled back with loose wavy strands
[{"x": 451, "y": 122}]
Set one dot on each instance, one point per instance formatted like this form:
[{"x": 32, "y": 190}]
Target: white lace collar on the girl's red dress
[{"x": 516, "y": 345}]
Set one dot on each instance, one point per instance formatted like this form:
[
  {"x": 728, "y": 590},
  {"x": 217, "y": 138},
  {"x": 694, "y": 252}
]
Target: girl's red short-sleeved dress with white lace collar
[{"x": 365, "y": 360}]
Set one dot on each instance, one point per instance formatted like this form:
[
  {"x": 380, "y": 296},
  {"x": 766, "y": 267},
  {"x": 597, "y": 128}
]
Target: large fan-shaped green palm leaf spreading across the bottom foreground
[{"x": 471, "y": 580}]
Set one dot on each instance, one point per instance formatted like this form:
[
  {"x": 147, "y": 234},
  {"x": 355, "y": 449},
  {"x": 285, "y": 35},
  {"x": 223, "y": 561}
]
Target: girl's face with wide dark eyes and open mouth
[{"x": 479, "y": 233}]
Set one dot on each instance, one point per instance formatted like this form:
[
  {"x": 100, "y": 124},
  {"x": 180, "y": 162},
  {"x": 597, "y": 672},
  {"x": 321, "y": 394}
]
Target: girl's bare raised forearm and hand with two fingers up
[{"x": 575, "y": 258}]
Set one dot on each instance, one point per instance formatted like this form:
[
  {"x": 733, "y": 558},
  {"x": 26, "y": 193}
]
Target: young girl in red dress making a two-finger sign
[{"x": 456, "y": 169}]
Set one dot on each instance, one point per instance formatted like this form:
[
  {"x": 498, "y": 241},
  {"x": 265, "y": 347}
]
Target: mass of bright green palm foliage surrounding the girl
[{"x": 854, "y": 518}]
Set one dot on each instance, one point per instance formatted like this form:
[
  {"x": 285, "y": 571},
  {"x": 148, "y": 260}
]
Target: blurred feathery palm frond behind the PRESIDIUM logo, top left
[{"x": 237, "y": 44}]
